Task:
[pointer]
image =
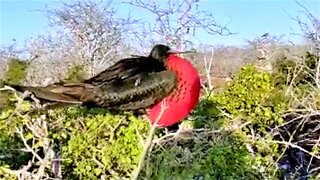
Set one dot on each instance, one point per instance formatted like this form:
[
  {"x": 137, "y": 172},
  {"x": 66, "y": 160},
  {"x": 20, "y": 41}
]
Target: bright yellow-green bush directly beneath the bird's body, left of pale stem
[{"x": 97, "y": 143}]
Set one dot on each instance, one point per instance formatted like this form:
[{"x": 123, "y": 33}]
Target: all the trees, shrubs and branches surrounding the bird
[{"x": 257, "y": 118}]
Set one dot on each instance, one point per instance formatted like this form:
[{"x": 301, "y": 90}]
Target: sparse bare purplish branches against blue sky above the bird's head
[{"x": 176, "y": 22}]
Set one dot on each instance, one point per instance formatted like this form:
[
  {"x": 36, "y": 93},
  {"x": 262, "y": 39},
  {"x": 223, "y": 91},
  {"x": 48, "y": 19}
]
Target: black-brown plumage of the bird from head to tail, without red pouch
[{"x": 130, "y": 84}]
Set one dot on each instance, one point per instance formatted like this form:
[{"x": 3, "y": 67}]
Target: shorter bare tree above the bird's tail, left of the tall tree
[{"x": 51, "y": 53}]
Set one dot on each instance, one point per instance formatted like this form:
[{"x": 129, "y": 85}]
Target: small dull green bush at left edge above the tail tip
[{"x": 16, "y": 72}]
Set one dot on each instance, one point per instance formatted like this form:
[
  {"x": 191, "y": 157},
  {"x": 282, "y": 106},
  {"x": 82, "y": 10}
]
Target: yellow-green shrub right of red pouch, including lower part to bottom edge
[{"x": 253, "y": 99}]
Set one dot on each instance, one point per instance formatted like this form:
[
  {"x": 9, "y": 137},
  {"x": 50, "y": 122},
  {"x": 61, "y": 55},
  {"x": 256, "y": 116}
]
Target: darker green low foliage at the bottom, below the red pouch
[{"x": 218, "y": 158}]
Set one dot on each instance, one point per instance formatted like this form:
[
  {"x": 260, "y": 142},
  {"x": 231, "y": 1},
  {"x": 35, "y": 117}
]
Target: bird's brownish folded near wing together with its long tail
[{"x": 121, "y": 95}]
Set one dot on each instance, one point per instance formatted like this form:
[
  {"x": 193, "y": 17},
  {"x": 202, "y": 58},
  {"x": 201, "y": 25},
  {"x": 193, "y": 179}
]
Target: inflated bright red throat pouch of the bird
[{"x": 180, "y": 102}]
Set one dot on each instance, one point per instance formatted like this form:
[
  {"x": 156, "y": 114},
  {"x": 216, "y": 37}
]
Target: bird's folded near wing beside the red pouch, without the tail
[{"x": 128, "y": 96}]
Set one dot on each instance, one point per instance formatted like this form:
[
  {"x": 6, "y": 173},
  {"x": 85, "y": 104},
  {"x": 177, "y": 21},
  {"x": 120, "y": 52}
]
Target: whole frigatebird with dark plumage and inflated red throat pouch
[{"x": 141, "y": 82}]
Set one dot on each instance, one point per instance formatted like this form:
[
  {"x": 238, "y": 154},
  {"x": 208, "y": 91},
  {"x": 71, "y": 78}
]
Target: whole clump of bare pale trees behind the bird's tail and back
[{"x": 85, "y": 33}]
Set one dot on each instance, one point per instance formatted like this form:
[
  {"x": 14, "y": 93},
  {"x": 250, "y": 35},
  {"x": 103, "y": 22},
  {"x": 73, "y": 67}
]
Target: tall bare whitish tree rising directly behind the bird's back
[{"x": 93, "y": 28}]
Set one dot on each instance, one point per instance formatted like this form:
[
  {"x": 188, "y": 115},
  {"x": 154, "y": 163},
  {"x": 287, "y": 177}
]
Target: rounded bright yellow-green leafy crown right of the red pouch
[{"x": 252, "y": 97}]
